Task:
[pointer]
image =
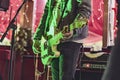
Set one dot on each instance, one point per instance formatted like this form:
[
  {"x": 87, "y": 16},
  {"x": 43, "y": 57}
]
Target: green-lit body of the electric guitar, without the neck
[{"x": 49, "y": 47}]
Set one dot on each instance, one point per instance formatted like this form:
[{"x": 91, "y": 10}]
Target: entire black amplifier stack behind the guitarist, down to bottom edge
[{"x": 91, "y": 66}]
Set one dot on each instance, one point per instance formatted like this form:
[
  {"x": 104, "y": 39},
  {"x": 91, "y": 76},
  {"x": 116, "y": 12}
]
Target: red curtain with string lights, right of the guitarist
[{"x": 96, "y": 21}]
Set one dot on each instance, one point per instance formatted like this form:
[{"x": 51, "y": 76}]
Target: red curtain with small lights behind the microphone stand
[{"x": 6, "y": 17}]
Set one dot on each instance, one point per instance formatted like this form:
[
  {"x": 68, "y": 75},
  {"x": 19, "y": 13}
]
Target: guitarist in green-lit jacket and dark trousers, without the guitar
[{"x": 60, "y": 14}]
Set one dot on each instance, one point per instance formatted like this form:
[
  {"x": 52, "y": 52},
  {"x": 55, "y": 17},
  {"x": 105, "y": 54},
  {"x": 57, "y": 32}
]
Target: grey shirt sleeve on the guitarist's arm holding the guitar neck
[{"x": 84, "y": 10}]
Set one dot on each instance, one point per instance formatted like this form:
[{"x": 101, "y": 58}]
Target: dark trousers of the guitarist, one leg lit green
[{"x": 63, "y": 68}]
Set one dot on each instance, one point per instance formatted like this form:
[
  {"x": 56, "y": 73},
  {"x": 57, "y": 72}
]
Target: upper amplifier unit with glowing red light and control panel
[{"x": 94, "y": 61}]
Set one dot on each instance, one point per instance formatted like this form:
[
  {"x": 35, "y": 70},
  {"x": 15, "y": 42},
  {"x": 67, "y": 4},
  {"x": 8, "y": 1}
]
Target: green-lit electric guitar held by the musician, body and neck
[{"x": 49, "y": 46}]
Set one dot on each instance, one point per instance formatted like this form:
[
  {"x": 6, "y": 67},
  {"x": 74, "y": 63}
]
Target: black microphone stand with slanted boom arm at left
[{"x": 13, "y": 27}]
